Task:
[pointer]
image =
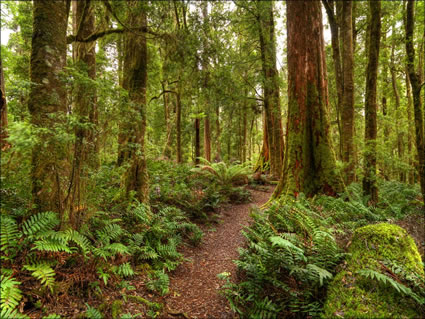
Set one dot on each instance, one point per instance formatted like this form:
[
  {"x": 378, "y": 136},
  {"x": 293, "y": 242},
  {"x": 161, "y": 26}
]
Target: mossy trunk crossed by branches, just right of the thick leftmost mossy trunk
[{"x": 85, "y": 110}]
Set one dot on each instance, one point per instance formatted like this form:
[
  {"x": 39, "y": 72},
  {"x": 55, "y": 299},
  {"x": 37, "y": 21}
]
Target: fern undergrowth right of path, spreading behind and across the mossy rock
[{"x": 292, "y": 253}]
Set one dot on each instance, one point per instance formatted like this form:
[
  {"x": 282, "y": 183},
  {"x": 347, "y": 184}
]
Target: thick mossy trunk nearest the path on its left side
[{"x": 135, "y": 178}]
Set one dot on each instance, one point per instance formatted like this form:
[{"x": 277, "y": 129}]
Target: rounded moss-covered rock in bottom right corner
[{"x": 353, "y": 296}]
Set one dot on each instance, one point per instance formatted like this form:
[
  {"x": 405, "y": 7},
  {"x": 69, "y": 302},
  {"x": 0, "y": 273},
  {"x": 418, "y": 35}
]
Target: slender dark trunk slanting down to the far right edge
[{"x": 416, "y": 92}]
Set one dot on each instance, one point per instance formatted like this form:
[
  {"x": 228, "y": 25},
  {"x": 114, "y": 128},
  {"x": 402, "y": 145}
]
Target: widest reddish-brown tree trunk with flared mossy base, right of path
[{"x": 309, "y": 158}]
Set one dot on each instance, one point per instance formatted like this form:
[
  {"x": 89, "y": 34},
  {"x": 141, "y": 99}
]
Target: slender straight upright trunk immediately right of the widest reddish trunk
[{"x": 347, "y": 112}]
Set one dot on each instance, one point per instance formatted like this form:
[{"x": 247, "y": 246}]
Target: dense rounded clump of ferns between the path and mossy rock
[{"x": 290, "y": 258}]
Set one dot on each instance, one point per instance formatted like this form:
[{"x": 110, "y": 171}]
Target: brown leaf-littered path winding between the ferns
[{"x": 194, "y": 286}]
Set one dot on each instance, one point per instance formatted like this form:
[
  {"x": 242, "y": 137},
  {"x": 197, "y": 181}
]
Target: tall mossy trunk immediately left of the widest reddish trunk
[{"x": 271, "y": 86}]
